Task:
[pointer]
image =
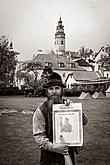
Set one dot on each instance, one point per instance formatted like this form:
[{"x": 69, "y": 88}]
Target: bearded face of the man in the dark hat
[{"x": 54, "y": 93}]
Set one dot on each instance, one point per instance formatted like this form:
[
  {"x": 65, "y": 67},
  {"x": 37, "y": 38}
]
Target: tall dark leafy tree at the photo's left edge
[{"x": 8, "y": 62}]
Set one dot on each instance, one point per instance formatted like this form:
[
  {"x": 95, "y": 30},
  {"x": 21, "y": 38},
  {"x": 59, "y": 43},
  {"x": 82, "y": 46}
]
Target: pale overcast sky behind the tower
[{"x": 31, "y": 24}]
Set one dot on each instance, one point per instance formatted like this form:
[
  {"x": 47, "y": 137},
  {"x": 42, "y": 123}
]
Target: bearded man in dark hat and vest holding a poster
[{"x": 51, "y": 154}]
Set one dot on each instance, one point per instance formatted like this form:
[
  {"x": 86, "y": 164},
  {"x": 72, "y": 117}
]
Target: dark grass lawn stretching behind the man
[{"x": 17, "y": 146}]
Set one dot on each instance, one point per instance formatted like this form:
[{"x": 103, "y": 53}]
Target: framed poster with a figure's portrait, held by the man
[{"x": 67, "y": 124}]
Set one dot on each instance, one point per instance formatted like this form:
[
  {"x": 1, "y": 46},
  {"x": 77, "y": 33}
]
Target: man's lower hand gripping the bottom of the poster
[{"x": 60, "y": 148}]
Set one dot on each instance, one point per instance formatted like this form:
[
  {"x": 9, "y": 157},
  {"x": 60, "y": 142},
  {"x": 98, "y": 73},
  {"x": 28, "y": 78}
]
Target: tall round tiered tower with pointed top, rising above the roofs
[{"x": 60, "y": 38}]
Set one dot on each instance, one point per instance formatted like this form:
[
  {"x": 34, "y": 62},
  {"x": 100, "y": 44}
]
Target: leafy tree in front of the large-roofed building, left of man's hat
[{"x": 30, "y": 76}]
